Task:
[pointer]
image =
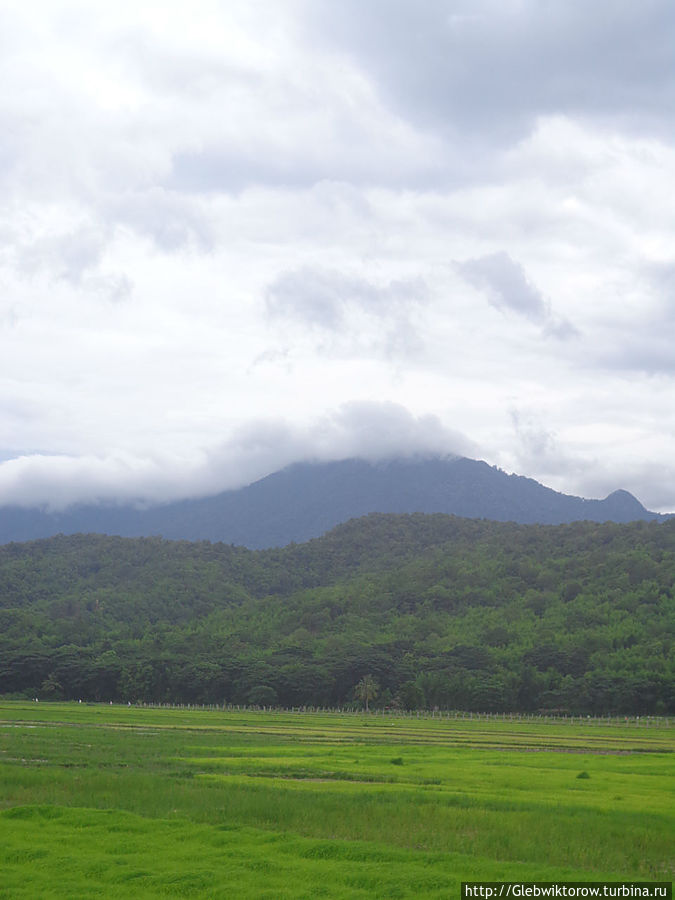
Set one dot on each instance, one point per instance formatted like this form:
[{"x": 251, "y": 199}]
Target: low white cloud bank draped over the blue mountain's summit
[{"x": 368, "y": 430}]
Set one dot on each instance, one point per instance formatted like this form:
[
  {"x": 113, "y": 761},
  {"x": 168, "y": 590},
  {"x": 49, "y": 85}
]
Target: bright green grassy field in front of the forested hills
[{"x": 109, "y": 801}]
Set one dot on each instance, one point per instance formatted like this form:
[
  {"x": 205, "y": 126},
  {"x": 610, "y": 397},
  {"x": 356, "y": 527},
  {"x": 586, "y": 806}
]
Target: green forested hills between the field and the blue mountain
[{"x": 437, "y": 611}]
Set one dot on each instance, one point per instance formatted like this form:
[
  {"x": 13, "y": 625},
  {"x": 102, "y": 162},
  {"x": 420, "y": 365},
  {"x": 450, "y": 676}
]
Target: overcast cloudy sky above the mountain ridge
[{"x": 240, "y": 234}]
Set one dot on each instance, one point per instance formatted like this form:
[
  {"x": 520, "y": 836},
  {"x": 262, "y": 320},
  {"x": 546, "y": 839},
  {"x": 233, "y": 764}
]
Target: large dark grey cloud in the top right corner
[{"x": 491, "y": 67}]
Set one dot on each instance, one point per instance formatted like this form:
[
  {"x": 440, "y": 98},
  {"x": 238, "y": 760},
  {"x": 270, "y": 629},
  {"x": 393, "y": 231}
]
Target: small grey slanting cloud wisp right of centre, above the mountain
[{"x": 508, "y": 289}]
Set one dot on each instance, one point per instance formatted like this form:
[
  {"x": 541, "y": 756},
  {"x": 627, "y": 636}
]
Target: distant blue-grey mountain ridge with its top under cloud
[{"x": 307, "y": 499}]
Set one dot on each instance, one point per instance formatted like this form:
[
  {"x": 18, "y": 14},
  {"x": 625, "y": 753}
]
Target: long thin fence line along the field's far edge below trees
[{"x": 646, "y": 721}]
